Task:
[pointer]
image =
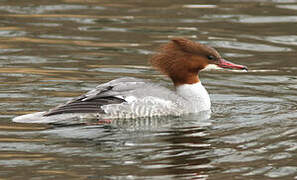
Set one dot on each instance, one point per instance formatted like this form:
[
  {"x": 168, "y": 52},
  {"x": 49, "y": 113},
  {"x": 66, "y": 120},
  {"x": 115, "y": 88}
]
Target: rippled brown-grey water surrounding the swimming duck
[{"x": 51, "y": 51}]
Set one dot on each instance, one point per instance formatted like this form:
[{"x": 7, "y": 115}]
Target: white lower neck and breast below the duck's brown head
[{"x": 196, "y": 95}]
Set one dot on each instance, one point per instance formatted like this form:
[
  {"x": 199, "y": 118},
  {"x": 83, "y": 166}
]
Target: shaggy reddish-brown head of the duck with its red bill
[{"x": 182, "y": 59}]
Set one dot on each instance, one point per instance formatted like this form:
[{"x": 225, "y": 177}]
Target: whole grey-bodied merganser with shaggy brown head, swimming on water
[{"x": 180, "y": 59}]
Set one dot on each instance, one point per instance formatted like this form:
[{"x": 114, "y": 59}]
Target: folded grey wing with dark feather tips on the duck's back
[{"x": 112, "y": 92}]
